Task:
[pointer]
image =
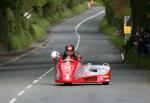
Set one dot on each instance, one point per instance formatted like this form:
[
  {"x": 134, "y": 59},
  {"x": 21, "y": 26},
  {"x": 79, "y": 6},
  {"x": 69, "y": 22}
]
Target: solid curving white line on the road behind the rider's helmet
[{"x": 80, "y": 23}]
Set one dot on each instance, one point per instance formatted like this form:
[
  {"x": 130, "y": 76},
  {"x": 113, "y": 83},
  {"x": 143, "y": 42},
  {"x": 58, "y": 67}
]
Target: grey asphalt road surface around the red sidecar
[{"x": 31, "y": 79}]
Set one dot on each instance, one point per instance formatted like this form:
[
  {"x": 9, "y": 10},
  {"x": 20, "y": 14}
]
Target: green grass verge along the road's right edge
[{"x": 132, "y": 56}]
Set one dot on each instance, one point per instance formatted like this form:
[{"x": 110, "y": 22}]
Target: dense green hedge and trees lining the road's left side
[{"x": 17, "y": 32}]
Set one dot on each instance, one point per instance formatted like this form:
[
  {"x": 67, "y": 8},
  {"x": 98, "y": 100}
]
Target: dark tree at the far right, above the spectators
[{"x": 140, "y": 16}]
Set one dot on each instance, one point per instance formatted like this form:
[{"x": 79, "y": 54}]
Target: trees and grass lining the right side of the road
[{"x": 139, "y": 11}]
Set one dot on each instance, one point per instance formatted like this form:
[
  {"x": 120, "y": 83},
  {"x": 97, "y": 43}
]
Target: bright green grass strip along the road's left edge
[{"x": 25, "y": 38}]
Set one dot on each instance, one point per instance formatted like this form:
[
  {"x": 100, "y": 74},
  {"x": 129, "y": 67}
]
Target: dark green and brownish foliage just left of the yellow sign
[{"x": 115, "y": 12}]
